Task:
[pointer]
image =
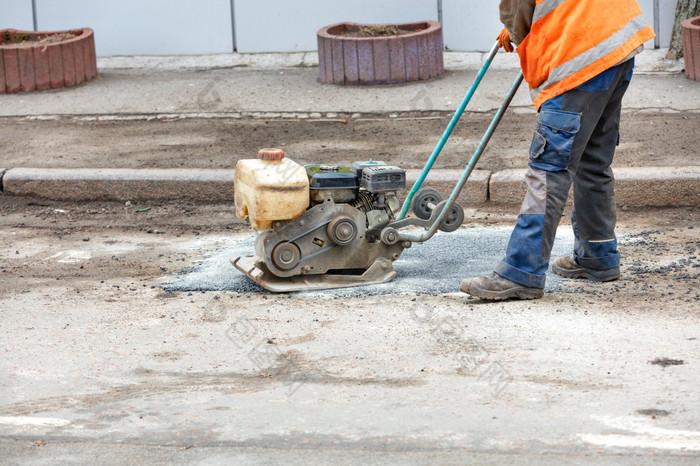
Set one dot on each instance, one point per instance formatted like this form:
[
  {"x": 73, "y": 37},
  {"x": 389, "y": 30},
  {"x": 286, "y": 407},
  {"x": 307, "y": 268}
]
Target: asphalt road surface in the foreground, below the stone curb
[{"x": 102, "y": 364}]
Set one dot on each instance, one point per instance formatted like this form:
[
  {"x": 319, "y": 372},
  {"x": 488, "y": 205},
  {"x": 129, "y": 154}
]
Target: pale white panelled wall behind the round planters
[{"x": 191, "y": 27}]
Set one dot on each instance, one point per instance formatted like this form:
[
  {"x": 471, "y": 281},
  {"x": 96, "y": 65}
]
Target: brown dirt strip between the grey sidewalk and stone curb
[{"x": 406, "y": 140}]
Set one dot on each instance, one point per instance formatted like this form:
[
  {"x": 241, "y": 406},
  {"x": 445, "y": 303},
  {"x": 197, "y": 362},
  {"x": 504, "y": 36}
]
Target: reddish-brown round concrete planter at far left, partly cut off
[{"x": 32, "y": 61}]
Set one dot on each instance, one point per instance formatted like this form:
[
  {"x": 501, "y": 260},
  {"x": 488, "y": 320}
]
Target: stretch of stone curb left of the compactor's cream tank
[{"x": 203, "y": 185}]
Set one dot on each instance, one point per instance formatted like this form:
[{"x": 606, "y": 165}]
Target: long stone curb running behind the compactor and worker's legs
[{"x": 635, "y": 187}]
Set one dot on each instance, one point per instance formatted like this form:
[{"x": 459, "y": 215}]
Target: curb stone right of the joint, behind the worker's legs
[{"x": 634, "y": 187}]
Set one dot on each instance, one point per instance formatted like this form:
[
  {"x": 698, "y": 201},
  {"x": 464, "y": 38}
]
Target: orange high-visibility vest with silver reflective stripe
[{"x": 572, "y": 41}]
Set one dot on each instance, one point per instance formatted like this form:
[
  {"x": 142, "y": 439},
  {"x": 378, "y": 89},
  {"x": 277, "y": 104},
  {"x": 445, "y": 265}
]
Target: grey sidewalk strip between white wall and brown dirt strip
[{"x": 285, "y": 85}]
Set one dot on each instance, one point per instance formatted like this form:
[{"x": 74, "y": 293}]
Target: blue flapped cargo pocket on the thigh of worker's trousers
[{"x": 551, "y": 145}]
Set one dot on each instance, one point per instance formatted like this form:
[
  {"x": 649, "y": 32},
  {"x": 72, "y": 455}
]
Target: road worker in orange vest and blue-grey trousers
[{"x": 577, "y": 57}]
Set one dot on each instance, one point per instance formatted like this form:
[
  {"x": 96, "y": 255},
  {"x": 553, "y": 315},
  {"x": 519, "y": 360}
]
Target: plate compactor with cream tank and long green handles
[{"x": 330, "y": 226}]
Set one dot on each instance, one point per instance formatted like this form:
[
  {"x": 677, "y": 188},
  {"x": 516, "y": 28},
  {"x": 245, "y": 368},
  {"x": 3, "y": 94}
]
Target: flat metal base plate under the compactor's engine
[{"x": 381, "y": 271}]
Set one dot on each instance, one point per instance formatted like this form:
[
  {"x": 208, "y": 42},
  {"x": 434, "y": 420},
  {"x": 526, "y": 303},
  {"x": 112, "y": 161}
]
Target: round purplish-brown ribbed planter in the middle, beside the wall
[{"x": 345, "y": 57}]
